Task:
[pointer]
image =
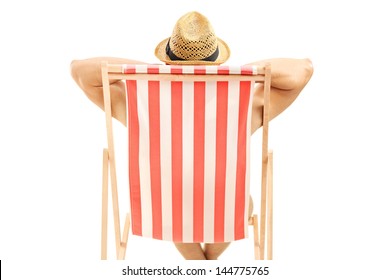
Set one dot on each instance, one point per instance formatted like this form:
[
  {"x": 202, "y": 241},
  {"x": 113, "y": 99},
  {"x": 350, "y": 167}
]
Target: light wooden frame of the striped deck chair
[{"x": 114, "y": 71}]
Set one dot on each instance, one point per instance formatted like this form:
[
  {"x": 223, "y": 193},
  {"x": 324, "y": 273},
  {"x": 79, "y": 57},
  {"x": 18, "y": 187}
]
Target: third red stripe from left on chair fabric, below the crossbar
[{"x": 177, "y": 160}]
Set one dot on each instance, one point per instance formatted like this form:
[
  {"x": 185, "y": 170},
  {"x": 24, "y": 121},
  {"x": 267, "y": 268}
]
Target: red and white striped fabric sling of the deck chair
[{"x": 189, "y": 154}]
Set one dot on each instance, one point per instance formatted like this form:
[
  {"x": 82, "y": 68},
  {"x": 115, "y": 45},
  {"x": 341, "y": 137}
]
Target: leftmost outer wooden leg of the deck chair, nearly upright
[{"x": 104, "y": 206}]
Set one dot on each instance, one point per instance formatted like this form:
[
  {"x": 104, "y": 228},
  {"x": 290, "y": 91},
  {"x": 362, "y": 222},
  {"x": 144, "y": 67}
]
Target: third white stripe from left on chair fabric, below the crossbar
[{"x": 188, "y": 160}]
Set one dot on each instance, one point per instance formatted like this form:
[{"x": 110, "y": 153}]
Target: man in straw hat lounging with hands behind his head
[{"x": 192, "y": 42}]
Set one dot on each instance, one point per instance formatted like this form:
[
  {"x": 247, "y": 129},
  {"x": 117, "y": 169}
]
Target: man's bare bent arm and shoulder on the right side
[{"x": 288, "y": 77}]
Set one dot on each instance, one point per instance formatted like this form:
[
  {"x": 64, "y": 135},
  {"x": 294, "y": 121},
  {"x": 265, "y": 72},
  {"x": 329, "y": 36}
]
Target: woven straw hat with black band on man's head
[{"x": 193, "y": 41}]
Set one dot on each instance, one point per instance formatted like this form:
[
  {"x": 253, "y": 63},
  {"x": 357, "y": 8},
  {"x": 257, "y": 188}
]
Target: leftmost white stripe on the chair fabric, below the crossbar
[{"x": 144, "y": 160}]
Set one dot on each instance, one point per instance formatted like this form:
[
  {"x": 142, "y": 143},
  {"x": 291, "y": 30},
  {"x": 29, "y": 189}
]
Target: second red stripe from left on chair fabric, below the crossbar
[{"x": 155, "y": 161}]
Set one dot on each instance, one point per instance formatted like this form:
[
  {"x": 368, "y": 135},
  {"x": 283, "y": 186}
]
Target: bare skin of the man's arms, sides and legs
[{"x": 289, "y": 77}]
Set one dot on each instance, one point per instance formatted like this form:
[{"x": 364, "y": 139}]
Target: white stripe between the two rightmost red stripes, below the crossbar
[{"x": 231, "y": 157}]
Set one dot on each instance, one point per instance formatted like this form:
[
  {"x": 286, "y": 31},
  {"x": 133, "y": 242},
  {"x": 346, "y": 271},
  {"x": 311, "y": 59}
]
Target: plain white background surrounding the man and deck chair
[{"x": 330, "y": 147}]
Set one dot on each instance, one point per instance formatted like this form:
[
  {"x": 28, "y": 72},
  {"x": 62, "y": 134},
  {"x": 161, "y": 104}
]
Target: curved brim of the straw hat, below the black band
[{"x": 224, "y": 53}]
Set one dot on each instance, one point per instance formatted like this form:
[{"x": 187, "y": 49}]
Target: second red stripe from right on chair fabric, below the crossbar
[{"x": 220, "y": 165}]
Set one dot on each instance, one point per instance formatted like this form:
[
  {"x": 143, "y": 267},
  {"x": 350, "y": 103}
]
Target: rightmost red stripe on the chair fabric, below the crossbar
[{"x": 239, "y": 219}]
